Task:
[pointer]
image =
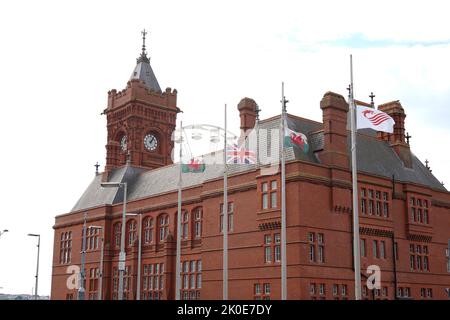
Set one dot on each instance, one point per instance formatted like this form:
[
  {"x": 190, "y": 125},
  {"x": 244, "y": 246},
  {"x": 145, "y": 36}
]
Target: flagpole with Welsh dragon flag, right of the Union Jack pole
[{"x": 283, "y": 200}]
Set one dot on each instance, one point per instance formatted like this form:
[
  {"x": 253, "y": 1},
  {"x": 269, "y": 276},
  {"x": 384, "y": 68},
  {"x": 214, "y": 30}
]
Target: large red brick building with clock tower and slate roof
[{"x": 404, "y": 211}]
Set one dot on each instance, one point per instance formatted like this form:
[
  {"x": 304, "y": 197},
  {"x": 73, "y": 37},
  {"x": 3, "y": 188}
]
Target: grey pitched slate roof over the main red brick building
[{"x": 374, "y": 157}]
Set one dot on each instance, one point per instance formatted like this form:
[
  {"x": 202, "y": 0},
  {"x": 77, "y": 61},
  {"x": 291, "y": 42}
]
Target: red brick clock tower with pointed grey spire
[{"x": 140, "y": 120}]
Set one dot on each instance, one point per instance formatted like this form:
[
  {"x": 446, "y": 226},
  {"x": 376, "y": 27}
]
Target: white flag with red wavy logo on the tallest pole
[{"x": 374, "y": 119}]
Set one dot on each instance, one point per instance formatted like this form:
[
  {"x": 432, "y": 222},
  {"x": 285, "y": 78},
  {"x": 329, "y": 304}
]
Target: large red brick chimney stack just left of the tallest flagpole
[{"x": 334, "y": 108}]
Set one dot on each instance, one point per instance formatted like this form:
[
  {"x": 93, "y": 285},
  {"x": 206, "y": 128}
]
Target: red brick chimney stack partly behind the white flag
[{"x": 397, "y": 138}]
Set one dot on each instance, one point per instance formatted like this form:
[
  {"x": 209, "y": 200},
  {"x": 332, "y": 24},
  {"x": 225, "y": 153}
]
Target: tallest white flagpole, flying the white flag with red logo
[{"x": 356, "y": 241}]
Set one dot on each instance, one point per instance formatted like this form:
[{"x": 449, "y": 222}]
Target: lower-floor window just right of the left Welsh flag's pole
[{"x": 192, "y": 279}]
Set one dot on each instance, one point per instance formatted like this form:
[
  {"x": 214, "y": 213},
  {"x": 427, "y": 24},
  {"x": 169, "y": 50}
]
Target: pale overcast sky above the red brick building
[{"x": 58, "y": 59}]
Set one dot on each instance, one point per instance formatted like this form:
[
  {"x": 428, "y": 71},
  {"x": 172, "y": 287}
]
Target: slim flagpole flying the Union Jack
[{"x": 225, "y": 213}]
